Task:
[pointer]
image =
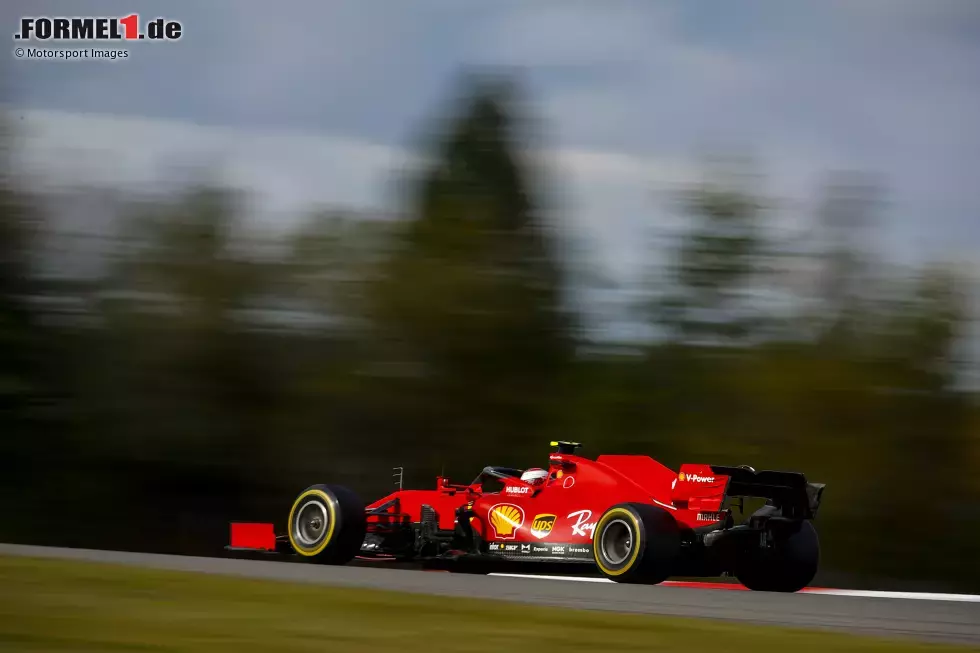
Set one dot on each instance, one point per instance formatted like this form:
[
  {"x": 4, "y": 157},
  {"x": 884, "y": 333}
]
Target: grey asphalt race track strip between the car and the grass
[{"x": 936, "y": 620}]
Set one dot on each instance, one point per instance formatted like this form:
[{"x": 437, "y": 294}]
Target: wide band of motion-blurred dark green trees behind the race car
[{"x": 208, "y": 373}]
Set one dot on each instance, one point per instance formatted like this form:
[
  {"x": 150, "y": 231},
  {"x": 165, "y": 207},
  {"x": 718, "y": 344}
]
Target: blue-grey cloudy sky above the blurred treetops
[{"x": 318, "y": 101}]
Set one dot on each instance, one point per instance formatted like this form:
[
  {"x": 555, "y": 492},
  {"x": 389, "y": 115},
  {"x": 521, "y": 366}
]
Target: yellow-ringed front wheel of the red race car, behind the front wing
[{"x": 327, "y": 524}]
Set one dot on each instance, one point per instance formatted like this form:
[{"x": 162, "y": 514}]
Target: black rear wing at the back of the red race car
[{"x": 789, "y": 491}]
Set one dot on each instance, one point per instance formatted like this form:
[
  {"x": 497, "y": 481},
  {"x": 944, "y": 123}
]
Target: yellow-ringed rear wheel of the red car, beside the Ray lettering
[{"x": 636, "y": 543}]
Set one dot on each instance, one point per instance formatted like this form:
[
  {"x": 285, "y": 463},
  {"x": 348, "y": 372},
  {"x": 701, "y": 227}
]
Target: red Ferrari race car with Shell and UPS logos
[{"x": 635, "y": 519}]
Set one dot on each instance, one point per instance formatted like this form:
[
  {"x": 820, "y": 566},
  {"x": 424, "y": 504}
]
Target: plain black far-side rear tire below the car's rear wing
[{"x": 788, "y": 566}]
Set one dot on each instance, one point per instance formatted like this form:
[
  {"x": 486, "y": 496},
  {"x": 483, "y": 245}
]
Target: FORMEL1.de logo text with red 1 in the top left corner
[{"x": 96, "y": 28}]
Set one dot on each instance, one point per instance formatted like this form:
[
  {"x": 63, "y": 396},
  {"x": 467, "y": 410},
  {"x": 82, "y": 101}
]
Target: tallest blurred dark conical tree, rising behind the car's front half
[{"x": 470, "y": 301}]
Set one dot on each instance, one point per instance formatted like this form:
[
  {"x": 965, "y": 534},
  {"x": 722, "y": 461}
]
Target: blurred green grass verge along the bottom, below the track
[{"x": 48, "y": 605}]
